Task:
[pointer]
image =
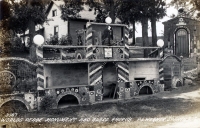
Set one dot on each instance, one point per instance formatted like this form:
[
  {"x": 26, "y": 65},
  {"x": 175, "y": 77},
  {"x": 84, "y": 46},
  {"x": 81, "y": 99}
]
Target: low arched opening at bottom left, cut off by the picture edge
[{"x": 13, "y": 106}]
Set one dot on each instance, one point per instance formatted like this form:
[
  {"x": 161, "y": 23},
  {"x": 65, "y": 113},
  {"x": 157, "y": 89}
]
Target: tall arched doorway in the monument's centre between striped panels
[{"x": 109, "y": 81}]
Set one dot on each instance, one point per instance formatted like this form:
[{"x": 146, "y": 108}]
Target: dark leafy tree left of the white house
[{"x": 27, "y": 14}]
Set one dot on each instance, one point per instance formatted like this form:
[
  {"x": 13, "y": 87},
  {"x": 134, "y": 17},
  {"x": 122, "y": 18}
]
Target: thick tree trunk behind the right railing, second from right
[{"x": 145, "y": 35}]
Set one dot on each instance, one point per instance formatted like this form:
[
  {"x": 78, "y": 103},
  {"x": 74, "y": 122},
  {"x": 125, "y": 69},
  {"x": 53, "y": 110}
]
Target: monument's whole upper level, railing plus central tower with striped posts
[{"x": 100, "y": 42}]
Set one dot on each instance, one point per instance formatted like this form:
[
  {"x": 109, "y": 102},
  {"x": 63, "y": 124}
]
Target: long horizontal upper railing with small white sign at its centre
[{"x": 58, "y": 52}]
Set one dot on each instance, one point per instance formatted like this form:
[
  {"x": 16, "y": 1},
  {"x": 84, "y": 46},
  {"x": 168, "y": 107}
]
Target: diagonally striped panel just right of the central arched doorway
[{"x": 123, "y": 71}]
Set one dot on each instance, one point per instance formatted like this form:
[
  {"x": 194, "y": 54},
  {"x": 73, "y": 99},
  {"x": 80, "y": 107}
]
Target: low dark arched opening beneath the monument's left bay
[{"x": 67, "y": 100}]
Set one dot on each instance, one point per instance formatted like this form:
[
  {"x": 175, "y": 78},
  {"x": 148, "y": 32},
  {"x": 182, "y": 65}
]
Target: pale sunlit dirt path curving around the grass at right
[{"x": 191, "y": 119}]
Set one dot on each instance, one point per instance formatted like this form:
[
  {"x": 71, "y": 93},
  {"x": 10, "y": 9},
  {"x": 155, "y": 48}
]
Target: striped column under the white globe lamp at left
[{"x": 40, "y": 69}]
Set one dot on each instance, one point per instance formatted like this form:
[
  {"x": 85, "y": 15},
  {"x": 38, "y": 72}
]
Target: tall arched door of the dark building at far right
[{"x": 181, "y": 43}]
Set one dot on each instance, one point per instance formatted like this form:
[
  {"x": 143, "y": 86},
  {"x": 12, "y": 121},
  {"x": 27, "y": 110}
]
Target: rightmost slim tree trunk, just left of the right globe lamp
[{"x": 154, "y": 33}]
